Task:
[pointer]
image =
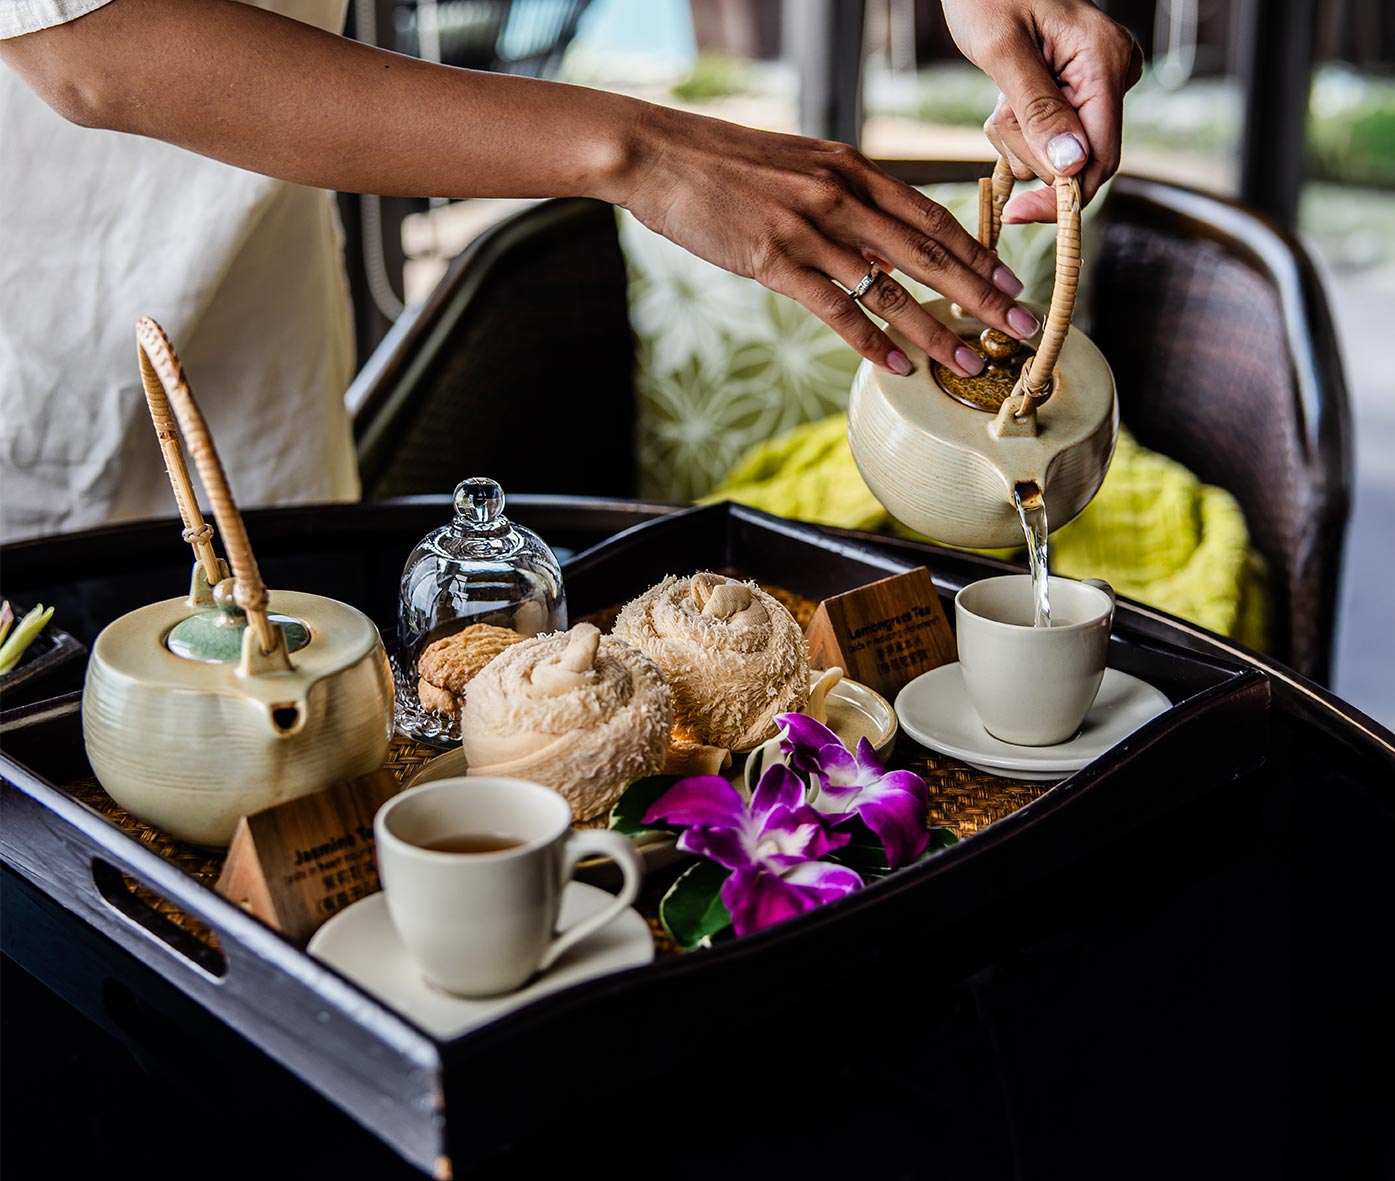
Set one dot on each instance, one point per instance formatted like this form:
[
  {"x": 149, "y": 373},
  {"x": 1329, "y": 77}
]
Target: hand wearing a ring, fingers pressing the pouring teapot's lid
[{"x": 800, "y": 214}]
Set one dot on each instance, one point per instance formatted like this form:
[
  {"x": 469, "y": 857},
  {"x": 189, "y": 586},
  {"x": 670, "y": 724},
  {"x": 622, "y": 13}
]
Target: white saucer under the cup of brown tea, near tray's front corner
[{"x": 362, "y": 943}]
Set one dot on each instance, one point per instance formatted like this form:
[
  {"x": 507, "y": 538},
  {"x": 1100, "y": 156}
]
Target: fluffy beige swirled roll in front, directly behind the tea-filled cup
[{"x": 582, "y": 713}]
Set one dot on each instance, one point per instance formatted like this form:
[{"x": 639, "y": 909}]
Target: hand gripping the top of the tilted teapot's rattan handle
[{"x": 1064, "y": 69}]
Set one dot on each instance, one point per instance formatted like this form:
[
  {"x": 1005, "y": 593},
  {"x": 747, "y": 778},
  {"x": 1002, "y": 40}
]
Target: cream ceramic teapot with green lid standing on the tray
[{"x": 200, "y": 710}]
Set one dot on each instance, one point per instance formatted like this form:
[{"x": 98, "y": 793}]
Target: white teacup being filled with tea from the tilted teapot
[{"x": 1033, "y": 687}]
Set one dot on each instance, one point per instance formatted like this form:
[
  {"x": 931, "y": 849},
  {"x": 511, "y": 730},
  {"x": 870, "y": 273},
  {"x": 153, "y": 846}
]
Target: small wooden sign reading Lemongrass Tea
[{"x": 885, "y": 634}]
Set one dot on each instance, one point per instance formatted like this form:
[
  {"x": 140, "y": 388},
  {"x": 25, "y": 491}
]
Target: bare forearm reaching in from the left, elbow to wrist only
[{"x": 277, "y": 97}]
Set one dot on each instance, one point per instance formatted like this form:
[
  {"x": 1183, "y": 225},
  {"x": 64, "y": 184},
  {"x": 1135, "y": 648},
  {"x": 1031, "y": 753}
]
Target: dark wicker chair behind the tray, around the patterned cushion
[{"x": 1212, "y": 317}]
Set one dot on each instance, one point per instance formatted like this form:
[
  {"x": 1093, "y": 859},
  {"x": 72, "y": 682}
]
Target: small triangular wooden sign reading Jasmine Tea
[{"x": 302, "y": 862}]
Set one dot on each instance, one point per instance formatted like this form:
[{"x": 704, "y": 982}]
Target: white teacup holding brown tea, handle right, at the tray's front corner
[{"x": 485, "y": 922}]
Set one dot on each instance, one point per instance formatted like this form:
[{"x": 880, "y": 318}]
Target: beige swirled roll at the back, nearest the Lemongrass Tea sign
[{"x": 732, "y": 653}]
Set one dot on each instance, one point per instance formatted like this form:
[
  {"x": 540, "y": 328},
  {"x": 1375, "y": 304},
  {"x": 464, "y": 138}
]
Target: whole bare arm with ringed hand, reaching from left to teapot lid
[{"x": 267, "y": 94}]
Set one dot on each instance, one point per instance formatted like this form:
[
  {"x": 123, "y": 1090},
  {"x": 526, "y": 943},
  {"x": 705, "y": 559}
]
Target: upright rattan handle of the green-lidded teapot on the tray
[{"x": 175, "y": 413}]
